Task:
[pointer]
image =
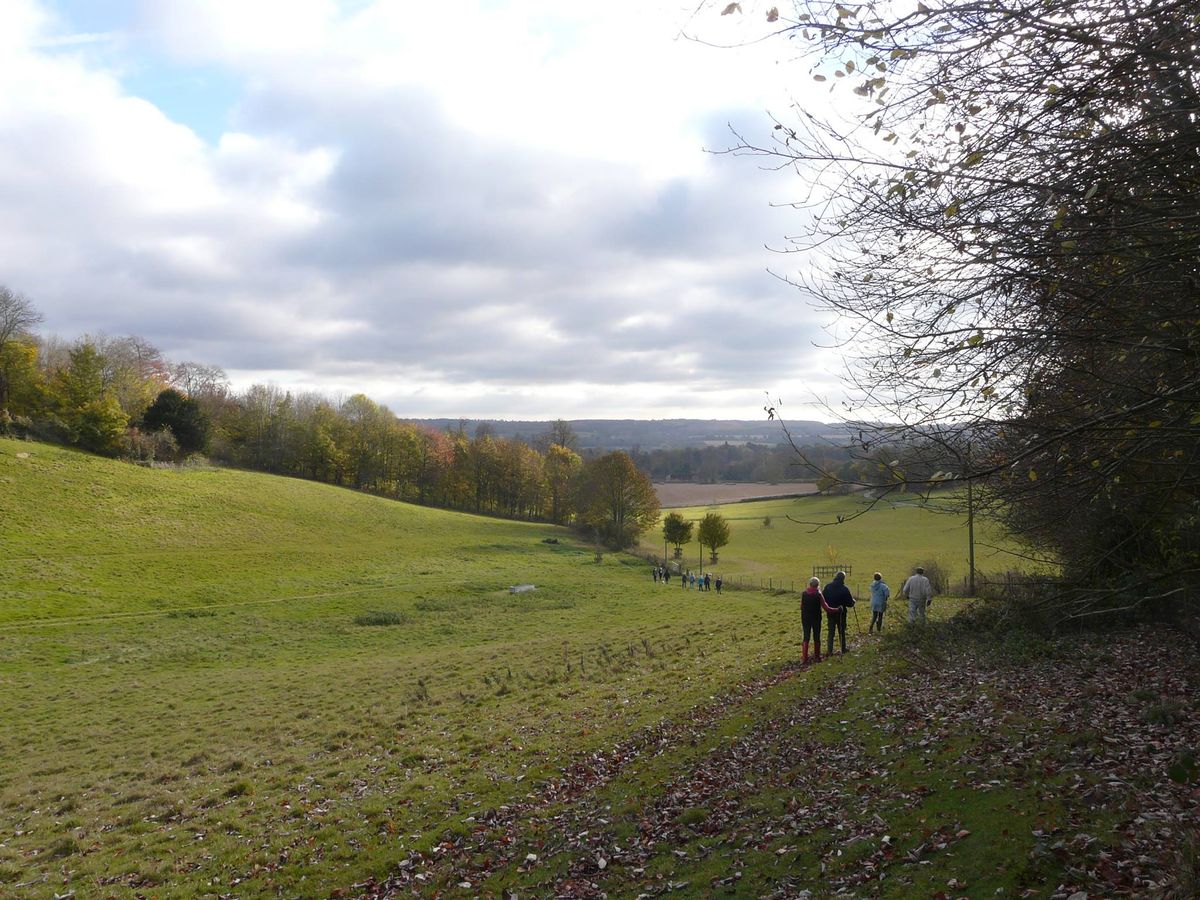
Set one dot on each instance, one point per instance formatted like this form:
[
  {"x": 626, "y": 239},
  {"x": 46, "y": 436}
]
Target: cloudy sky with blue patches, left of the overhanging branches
[{"x": 488, "y": 209}]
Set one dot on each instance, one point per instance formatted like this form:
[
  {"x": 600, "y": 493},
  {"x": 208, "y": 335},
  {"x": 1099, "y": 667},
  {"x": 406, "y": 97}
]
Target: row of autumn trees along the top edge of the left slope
[{"x": 121, "y": 398}]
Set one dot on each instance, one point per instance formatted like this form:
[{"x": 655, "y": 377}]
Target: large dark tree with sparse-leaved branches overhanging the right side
[{"x": 1005, "y": 221}]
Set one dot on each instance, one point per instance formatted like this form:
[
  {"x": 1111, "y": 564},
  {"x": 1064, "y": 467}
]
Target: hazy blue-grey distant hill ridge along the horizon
[{"x": 653, "y": 434}]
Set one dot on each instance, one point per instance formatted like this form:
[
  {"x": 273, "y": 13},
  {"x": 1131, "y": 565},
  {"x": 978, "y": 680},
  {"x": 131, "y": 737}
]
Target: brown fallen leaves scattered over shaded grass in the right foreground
[{"x": 1087, "y": 746}]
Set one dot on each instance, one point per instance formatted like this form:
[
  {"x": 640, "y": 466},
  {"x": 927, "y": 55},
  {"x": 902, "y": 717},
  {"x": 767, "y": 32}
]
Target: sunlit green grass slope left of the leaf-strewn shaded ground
[{"x": 183, "y": 677}]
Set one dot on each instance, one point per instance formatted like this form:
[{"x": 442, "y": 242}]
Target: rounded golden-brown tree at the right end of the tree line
[{"x": 615, "y": 499}]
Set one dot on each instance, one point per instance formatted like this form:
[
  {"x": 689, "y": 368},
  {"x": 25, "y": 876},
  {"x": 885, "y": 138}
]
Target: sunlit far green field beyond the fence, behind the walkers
[{"x": 890, "y": 539}]
